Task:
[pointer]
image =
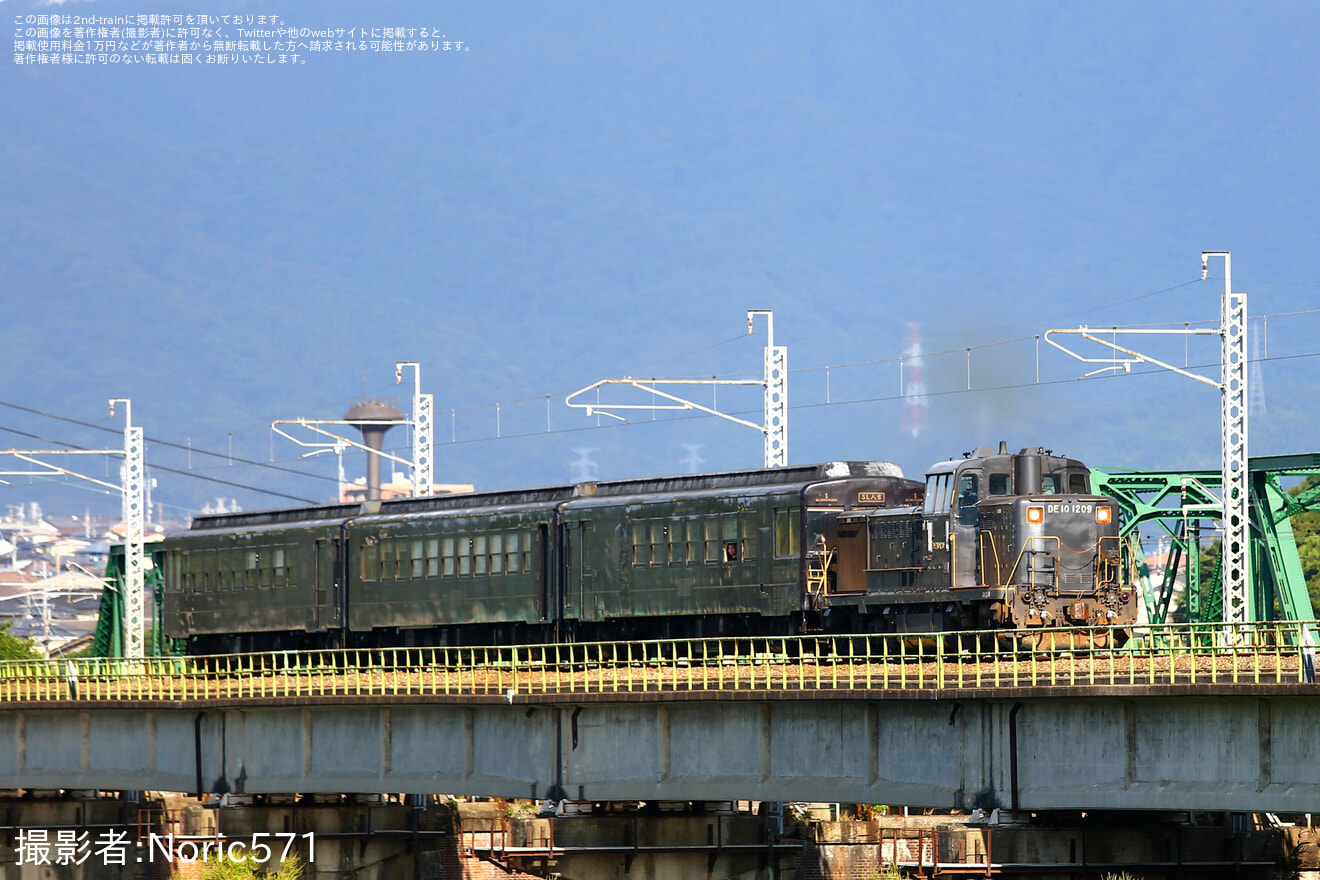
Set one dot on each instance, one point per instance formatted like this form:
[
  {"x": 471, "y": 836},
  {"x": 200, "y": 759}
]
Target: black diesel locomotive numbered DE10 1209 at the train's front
[{"x": 999, "y": 540}]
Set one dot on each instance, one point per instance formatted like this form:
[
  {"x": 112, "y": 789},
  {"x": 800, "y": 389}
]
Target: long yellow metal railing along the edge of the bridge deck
[{"x": 1260, "y": 654}]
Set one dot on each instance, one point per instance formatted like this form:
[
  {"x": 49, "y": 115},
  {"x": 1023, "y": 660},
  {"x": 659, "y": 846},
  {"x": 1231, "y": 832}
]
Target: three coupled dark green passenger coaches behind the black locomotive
[{"x": 682, "y": 556}]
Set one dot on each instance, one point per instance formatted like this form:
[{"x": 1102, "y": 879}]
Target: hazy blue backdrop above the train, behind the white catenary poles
[{"x": 593, "y": 192}]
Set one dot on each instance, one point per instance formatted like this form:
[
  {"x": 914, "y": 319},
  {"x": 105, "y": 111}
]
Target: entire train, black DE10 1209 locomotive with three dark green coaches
[{"x": 988, "y": 542}]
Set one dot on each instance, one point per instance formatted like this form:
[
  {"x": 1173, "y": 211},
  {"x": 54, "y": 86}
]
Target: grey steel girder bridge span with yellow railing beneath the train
[{"x": 1182, "y": 718}]
